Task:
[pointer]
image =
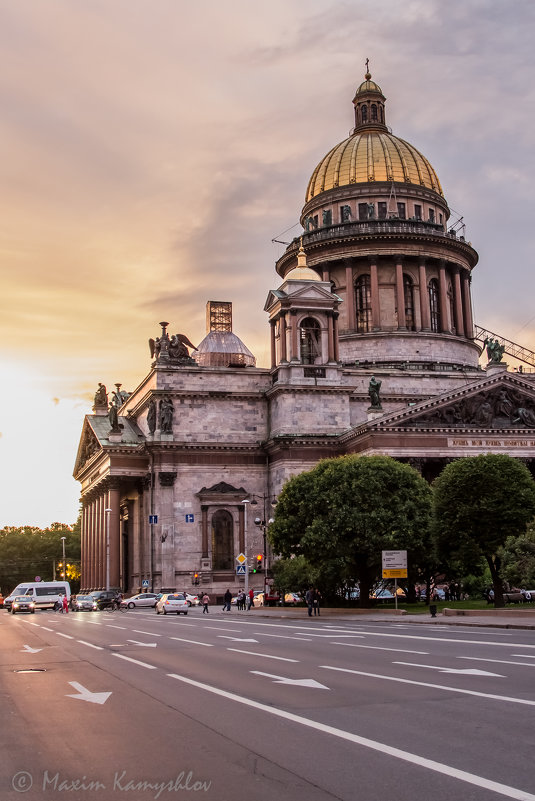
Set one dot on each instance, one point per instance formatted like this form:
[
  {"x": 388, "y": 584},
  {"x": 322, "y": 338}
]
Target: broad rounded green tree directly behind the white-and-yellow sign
[{"x": 345, "y": 511}]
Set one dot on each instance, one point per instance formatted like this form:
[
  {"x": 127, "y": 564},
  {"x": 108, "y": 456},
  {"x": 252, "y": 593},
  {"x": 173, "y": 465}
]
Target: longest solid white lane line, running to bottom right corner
[{"x": 397, "y": 753}]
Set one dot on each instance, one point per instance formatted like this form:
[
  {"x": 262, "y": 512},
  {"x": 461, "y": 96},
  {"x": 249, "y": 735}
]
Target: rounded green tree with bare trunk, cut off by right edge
[{"x": 479, "y": 502}]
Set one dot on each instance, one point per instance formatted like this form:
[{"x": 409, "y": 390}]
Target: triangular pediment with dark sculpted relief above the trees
[{"x": 504, "y": 403}]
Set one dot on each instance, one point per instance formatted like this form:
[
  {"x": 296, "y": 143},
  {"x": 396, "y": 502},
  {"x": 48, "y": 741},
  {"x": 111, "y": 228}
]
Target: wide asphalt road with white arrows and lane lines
[{"x": 233, "y": 706}]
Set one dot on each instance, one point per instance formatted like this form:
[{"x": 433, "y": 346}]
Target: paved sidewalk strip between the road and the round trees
[{"x": 491, "y": 618}]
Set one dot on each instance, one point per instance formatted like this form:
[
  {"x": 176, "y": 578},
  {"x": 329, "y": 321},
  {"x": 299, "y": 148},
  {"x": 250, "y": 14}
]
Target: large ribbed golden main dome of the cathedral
[{"x": 371, "y": 156}]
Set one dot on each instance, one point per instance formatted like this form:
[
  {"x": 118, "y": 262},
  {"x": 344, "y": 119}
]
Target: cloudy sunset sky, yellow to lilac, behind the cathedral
[{"x": 151, "y": 150}]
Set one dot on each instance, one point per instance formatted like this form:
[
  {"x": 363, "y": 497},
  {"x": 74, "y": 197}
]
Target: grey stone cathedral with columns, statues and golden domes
[{"x": 373, "y": 350}]
